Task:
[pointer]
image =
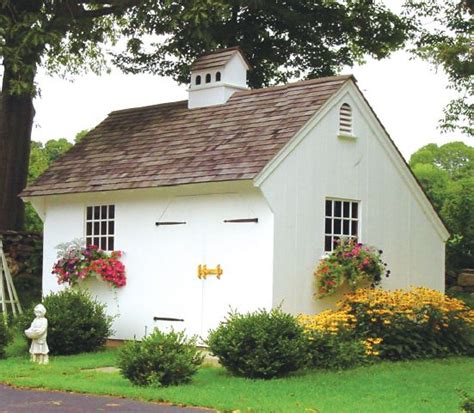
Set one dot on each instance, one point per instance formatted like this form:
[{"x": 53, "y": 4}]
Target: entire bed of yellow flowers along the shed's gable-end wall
[{"x": 395, "y": 325}]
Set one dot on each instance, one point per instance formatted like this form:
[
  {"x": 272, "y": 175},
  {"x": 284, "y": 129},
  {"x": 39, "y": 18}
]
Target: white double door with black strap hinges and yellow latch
[{"x": 192, "y": 231}]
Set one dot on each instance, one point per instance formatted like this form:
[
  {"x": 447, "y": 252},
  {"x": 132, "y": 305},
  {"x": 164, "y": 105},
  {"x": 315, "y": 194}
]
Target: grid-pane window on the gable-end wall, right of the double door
[{"x": 341, "y": 221}]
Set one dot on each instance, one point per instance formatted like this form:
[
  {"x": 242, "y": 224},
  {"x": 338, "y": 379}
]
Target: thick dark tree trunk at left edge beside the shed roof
[{"x": 16, "y": 121}]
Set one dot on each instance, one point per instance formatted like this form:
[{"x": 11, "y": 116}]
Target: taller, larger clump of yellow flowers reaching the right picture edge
[{"x": 418, "y": 323}]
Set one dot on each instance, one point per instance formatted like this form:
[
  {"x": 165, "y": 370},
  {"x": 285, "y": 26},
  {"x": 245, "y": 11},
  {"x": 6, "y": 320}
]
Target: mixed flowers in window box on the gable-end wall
[{"x": 350, "y": 262}]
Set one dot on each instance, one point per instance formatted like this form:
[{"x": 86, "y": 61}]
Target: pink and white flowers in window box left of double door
[{"x": 78, "y": 262}]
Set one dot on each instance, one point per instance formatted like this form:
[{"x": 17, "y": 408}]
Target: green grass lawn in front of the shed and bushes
[{"x": 422, "y": 386}]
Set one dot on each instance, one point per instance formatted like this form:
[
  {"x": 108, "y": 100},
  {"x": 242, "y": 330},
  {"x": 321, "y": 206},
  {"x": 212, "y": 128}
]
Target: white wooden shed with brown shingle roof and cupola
[{"x": 254, "y": 182}]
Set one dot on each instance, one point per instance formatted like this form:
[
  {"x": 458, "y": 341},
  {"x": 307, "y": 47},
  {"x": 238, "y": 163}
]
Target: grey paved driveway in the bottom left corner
[{"x": 34, "y": 401}]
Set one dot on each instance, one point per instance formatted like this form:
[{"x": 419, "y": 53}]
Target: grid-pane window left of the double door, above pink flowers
[{"x": 100, "y": 226}]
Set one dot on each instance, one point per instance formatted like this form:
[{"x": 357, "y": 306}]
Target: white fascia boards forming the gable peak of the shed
[{"x": 381, "y": 134}]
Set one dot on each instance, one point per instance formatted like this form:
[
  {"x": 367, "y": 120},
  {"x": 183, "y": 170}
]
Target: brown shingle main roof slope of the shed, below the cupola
[{"x": 169, "y": 144}]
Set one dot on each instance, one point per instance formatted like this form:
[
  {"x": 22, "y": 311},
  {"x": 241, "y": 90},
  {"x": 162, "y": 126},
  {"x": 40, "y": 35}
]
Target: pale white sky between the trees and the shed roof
[{"x": 408, "y": 96}]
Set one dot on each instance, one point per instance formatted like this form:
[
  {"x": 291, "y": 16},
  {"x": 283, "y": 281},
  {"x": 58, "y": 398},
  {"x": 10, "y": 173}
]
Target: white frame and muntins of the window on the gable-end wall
[{"x": 333, "y": 234}]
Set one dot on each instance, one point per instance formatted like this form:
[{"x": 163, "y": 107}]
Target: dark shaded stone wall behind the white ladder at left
[{"x": 24, "y": 252}]
